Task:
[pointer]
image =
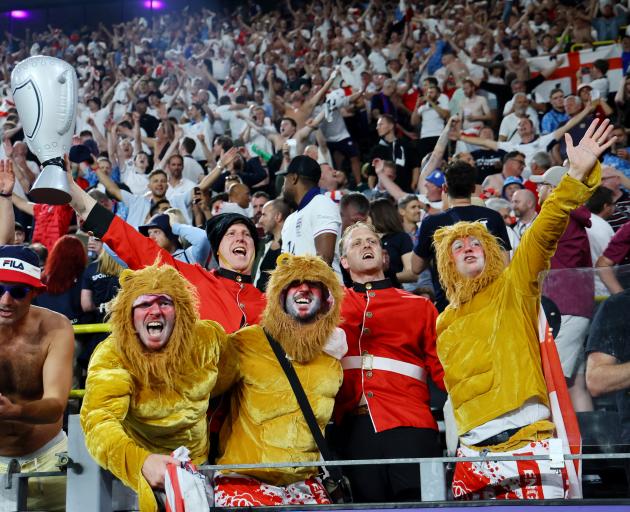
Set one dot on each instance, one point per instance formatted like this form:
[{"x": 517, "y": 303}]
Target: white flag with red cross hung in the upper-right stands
[{"x": 565, "y": 76}]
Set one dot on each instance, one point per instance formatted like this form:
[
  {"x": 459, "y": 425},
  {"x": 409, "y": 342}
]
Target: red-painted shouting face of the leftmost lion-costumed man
[{"x": 154, "y": 320}]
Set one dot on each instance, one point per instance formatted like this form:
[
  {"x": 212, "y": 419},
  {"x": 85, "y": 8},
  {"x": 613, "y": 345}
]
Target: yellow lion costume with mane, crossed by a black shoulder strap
[{"x": 266, "y": 422}]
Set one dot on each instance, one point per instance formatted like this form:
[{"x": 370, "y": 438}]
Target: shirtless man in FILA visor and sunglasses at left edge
[{"x": 36, "y": 347}]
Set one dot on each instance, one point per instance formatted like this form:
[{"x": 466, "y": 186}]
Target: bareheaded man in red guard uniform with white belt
[{"x": 382, "y": 410}]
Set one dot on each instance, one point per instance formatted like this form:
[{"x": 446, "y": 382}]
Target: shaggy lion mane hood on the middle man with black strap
[{"x": 301, "y": 341}]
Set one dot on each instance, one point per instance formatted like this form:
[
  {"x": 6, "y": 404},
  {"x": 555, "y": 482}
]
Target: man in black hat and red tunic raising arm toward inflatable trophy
[{"x": 227, "y": 294}]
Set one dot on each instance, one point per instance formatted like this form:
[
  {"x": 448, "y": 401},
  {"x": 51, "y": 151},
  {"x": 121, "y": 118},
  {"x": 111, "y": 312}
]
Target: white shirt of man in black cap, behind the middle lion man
[{"x": 319, "y": 216}]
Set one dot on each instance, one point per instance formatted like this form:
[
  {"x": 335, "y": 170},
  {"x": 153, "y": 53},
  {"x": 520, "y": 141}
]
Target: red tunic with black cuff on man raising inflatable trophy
[{"x": 225, "y": 297}]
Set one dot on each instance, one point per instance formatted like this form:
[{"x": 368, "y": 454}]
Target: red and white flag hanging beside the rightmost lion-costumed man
[{"x": 562, "y": 412}]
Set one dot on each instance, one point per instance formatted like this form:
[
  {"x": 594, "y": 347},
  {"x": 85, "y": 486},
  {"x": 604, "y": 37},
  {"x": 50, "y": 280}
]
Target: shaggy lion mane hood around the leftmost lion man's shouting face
[{"x": 163, "y": 368}]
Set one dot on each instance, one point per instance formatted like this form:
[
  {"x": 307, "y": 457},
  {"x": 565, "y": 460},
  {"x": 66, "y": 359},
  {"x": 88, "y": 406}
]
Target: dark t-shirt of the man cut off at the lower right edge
[{"x": 608, "y": 334}]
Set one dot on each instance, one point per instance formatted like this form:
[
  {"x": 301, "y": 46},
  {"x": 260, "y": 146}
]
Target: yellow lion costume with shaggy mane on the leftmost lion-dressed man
[{"x": 138, "y": 402}]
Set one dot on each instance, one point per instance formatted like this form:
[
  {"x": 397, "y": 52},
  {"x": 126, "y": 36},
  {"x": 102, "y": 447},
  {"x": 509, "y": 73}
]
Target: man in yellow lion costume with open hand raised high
[{"x": 514, "y": 393}]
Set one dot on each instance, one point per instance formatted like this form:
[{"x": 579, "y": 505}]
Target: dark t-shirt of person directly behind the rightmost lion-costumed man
[{"x": 424, "y": 246}]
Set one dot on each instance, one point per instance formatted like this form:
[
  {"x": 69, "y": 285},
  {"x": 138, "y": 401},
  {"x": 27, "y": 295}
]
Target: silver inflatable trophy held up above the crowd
[{"x": 45, "y": 94}]
